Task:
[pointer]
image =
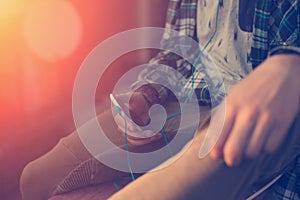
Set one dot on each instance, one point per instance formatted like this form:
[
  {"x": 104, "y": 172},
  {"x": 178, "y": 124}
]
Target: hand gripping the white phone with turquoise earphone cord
[{"x": 138, "y": 108}]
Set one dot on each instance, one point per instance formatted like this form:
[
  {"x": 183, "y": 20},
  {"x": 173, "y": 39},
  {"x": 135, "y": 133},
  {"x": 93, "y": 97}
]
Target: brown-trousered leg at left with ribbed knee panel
[{"x": 70, "y": 165}]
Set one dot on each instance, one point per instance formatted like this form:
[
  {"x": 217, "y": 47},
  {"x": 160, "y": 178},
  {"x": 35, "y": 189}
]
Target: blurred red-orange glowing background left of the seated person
[{"x": 42, "y": 45}]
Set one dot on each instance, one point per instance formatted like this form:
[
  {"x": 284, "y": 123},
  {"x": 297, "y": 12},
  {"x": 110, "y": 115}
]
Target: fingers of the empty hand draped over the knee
[{"x": 247, "y": 132}]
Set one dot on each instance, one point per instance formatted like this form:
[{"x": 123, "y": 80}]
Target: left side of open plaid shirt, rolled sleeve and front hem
[{"x": 175, "y": 72}]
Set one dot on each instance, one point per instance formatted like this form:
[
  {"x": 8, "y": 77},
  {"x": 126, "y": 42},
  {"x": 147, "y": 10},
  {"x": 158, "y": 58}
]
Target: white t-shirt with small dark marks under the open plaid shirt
[{"x": 230, "y": 47}]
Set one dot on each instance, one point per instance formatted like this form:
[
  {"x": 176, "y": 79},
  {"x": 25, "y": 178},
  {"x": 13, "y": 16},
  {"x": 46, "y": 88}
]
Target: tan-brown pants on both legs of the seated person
[{"x": 69, "y": 166}]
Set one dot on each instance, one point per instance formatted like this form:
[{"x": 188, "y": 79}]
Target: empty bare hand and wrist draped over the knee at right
[{"x": 259, "y": 110}]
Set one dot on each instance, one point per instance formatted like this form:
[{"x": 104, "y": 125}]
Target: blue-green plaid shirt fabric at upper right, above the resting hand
[{"x": 276, "y": 24}]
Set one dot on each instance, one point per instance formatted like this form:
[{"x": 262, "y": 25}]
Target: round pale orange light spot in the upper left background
[{"x": 52, "y": 29}]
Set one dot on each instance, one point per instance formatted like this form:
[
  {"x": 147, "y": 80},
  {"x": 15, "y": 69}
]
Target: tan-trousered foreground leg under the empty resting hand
[{"x": 188, "y": 177}]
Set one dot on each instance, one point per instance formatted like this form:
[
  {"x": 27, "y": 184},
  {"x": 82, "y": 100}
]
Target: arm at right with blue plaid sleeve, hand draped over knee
[{"x": 261, "y": 108}]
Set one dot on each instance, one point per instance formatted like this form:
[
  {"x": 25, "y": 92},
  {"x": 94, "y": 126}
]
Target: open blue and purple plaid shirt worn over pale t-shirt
[{"x": 276, "y": 25}]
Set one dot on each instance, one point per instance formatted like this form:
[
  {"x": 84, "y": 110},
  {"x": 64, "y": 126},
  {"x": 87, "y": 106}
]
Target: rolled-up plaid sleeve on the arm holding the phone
[{"x": 167, "y": 67}]
